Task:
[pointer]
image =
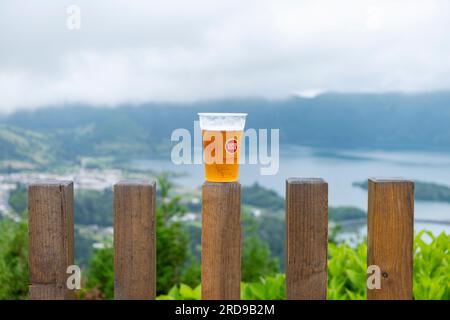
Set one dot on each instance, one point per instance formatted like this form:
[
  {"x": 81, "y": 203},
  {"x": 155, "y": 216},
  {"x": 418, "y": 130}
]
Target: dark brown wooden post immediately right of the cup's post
[{"x": 306, "y": 239}]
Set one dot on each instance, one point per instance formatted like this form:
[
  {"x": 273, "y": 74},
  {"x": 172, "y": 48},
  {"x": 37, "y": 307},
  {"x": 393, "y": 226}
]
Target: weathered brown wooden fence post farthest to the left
[{"x": 51, "y": 244}]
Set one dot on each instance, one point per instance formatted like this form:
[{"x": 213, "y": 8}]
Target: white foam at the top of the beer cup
[{"x": 222, "y": 121}]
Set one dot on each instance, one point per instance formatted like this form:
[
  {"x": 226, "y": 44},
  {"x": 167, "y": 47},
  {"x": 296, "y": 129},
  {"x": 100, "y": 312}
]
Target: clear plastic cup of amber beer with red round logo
[{"x": 222, "y": 134}]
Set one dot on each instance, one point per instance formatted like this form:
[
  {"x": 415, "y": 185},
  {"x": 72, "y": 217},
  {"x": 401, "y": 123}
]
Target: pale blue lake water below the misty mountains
[{"x": 340, "y": 169}]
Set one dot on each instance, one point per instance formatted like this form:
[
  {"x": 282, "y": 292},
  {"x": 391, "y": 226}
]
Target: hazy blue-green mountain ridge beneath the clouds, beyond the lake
[{"x": 364, "y": 121}]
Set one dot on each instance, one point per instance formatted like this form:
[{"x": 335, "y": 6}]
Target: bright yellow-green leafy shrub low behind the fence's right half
[{"x": 347, "y": 274}]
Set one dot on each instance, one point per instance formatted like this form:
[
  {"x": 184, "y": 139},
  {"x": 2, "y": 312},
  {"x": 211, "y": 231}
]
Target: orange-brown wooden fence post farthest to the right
[{"x": 390, "y": 237}]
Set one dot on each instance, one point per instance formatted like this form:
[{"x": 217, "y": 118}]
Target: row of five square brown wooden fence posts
[{"x": 390, "y": 239}]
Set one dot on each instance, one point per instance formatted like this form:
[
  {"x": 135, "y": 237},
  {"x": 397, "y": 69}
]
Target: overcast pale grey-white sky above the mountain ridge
[{"x": 138, "y": 51}]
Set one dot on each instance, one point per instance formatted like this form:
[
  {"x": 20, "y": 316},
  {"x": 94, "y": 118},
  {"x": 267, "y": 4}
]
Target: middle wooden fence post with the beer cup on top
[{"x": 221, "y": 241}]
